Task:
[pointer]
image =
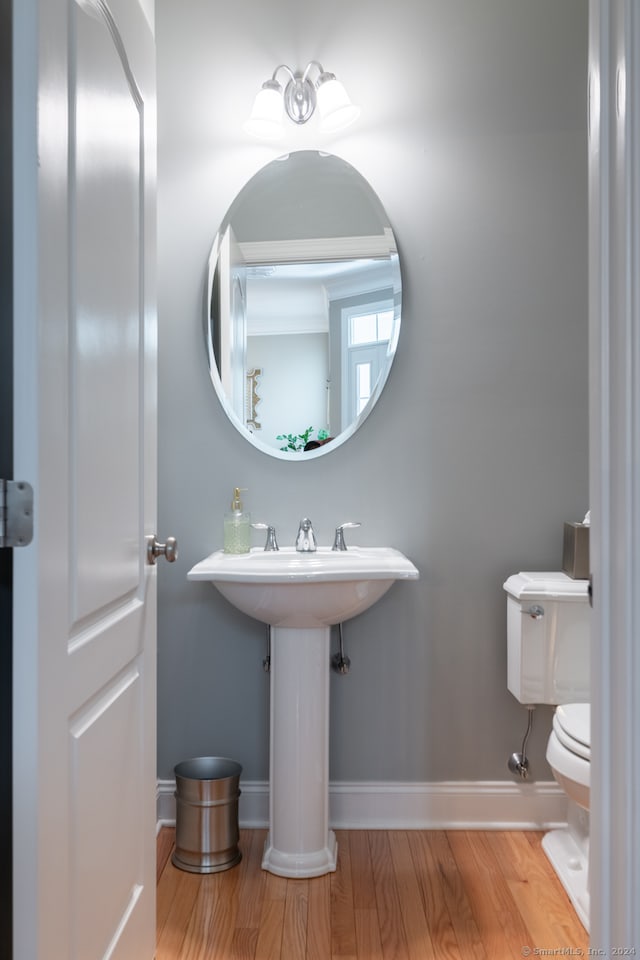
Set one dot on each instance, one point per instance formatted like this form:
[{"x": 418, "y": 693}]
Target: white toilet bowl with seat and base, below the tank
[{"x": 569, "y": 756}]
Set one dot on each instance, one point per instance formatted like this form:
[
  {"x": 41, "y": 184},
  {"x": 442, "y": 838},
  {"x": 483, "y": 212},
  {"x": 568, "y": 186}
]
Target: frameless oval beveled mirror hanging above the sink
[{"x": 303, "y": 305}]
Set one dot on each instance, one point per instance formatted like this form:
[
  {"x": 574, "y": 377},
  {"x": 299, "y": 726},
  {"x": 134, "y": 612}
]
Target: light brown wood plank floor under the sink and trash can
[{"x": 396, "y": 895}]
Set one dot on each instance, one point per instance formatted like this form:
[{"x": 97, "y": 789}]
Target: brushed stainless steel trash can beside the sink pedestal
[{"x": 207, "y": 834}]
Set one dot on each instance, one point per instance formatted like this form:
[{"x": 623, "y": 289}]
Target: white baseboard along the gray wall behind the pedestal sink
[{"x": 452, "y": 805}]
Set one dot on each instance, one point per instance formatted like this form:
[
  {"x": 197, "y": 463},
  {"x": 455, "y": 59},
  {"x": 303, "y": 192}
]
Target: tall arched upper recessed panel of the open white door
[{"x": 105, "y": 320}]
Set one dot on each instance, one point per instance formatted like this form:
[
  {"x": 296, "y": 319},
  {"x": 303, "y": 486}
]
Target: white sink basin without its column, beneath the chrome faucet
[{"x": 291, "y": 589}]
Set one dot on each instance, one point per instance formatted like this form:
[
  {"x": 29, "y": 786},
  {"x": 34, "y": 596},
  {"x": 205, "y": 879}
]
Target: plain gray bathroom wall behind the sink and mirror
[{"x": 473, "y": 135}]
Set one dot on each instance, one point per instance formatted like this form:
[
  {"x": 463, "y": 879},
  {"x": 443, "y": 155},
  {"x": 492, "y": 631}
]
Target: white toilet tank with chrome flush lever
[{"x": 548, "y": 638}]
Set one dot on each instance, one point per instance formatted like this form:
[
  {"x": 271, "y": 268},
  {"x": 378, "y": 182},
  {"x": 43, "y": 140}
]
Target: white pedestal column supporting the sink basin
[{"x": 299, "y": 843}]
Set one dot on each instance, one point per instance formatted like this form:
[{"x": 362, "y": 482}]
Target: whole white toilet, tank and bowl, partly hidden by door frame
[{"x": 548, "y": 658}]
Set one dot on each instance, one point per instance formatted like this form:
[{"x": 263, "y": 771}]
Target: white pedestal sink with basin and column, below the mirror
[{"x": 300, "y": 595}]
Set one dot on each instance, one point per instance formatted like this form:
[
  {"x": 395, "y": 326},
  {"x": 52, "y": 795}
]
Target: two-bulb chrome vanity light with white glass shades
[{"x": 298, "y": 99}]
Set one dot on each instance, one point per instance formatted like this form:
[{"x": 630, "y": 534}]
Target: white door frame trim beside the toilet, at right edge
[{"x": 614, "y": 308}]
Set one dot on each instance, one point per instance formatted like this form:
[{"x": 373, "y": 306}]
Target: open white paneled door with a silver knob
[{"x": 84, "y": 598}]
